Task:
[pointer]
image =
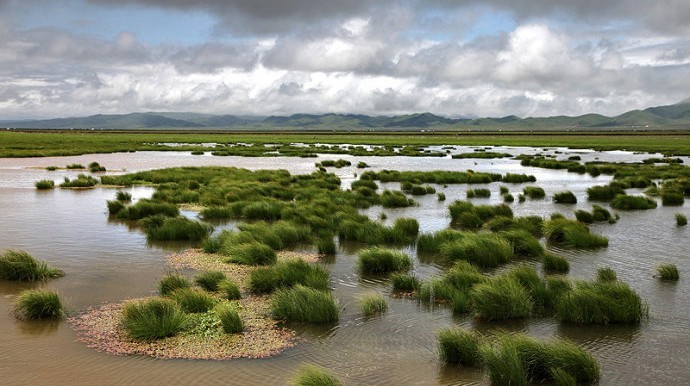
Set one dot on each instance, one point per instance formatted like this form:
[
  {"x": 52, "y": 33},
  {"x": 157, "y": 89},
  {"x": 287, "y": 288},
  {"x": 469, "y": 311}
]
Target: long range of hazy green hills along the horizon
[{"x": 675, "y": 116}]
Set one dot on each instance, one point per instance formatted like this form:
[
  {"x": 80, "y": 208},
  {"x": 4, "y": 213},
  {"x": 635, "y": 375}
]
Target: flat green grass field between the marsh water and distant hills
[{"x": 56, "y": 143}]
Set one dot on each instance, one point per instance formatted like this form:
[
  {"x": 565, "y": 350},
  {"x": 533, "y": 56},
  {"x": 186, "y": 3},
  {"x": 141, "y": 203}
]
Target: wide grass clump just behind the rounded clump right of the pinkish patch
[{"x": 285, "y": 274}]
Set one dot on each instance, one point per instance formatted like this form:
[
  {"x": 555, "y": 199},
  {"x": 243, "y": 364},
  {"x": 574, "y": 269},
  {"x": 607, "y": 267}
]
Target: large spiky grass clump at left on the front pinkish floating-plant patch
[{"x": 153, "y": 319}]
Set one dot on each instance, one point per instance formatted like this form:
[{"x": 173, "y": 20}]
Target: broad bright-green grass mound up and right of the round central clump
[{"x": 485, "y": 250}]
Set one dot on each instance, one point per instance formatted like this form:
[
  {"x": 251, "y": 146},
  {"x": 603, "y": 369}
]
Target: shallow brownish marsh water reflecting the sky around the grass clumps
[{"x": 107, "y": 262}]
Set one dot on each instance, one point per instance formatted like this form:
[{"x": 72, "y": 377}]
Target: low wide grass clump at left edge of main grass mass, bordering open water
[{"x": 161, "y": 228}]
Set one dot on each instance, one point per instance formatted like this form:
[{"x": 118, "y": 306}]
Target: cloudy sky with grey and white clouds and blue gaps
[{"x": 379, "y": 57}]
